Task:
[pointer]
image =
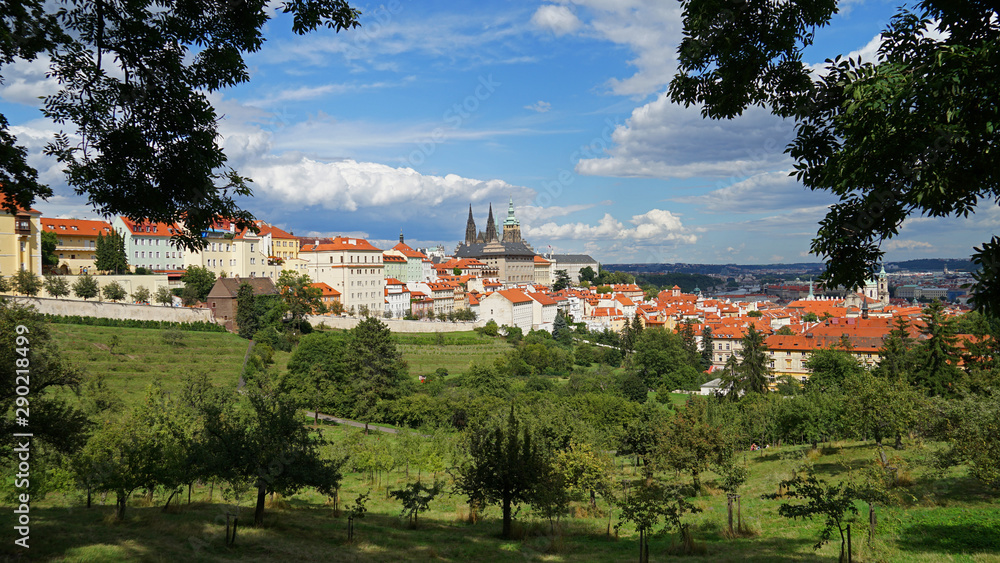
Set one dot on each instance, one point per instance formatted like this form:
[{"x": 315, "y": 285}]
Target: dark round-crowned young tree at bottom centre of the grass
[{"x": 503, "y": 465}]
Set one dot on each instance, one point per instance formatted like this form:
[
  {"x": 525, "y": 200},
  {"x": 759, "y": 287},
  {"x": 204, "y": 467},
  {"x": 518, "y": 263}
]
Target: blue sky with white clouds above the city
[{"x": 430, "y": 107}]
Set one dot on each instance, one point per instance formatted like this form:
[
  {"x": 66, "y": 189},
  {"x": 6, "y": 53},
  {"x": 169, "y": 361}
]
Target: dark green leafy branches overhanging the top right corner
[{"x": 914, "y": 132}]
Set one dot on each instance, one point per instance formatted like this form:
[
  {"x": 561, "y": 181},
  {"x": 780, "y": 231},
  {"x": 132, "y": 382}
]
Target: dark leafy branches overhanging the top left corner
[{"x": 135, "y": 78}]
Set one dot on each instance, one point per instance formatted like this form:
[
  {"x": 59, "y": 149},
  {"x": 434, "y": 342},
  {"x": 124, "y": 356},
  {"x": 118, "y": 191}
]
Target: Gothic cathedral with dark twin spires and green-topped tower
[{"x": 506, "y": 252}]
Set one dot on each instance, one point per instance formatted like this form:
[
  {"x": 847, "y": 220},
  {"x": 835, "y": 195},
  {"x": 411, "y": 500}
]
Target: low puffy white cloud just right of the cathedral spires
[{"x": 653, "y": 226}]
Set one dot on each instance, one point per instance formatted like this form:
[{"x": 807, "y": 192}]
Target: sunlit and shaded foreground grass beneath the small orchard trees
[{"x": 949, "y": 520}]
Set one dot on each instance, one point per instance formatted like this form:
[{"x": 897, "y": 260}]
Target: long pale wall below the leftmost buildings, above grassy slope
[{"x": 106, "y": 310}]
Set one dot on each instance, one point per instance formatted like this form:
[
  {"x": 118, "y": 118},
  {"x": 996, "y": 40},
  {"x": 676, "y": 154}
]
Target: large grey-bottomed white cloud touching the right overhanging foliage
[{"x": 666, "y": 140}]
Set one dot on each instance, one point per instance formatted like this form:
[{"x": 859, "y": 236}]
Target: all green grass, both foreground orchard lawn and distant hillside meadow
[{"x": 938, "y": 516}]
